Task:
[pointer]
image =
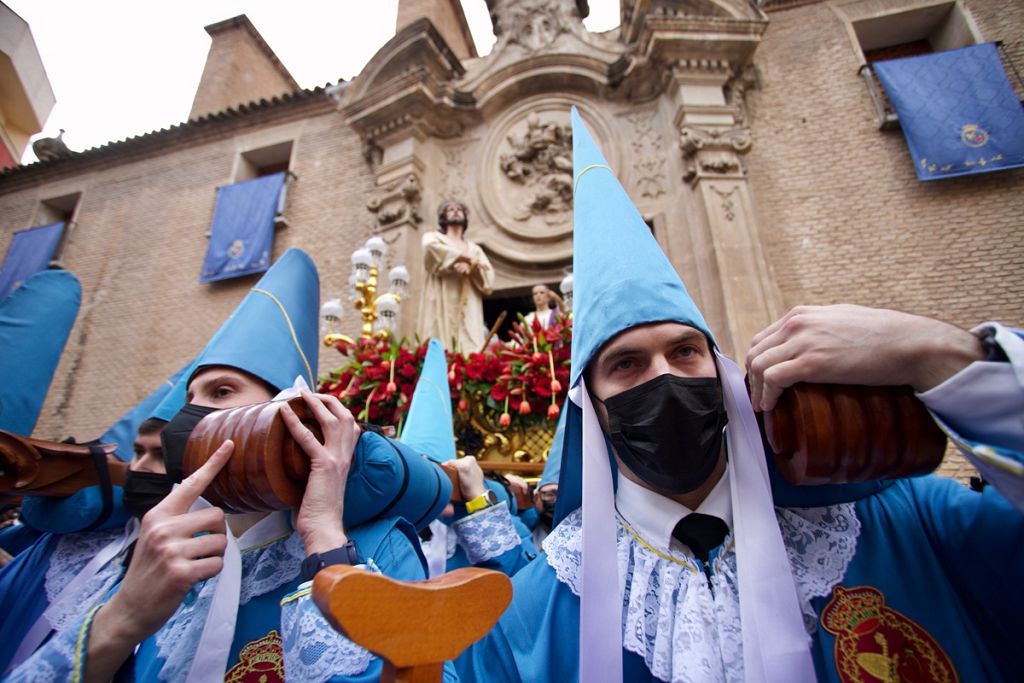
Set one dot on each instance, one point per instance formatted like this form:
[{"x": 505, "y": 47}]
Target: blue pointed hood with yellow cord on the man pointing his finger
[{"x": 273, "y": 334}]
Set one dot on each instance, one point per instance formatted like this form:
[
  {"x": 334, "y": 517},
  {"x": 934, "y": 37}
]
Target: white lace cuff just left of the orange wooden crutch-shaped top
[{"x": 314, "y": 651}]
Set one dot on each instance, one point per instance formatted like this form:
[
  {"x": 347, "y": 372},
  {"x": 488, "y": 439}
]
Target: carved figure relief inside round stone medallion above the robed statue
[{"x": 541, "y": 161}]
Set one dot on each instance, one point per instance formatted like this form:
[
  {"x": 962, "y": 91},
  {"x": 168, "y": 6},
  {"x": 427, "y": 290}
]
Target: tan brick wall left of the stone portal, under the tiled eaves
[{"x": 141, "y": 242}]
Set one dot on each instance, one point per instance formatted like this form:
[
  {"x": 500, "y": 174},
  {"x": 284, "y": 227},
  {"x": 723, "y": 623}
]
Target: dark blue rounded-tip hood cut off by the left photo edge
[{"x": 35, "y": 323}]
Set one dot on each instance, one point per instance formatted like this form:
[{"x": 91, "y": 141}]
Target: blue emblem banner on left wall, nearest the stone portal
[{"x": 243, "y": 229}]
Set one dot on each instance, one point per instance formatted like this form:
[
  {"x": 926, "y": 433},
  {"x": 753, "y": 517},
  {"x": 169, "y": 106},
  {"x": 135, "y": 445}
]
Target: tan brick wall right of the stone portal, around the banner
[{"x": 842, "y": 216}]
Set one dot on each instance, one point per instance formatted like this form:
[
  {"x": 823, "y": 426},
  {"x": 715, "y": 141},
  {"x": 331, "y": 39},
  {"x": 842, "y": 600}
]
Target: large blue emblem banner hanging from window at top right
[{"x": 958, "y": 111}]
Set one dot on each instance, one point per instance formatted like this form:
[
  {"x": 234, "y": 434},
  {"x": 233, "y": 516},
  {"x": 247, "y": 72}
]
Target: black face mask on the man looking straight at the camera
[{"x": 669, "y": 431}]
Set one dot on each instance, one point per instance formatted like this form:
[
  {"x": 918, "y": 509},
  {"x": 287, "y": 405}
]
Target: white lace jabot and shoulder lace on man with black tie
[{"x": 686, "y": 630}]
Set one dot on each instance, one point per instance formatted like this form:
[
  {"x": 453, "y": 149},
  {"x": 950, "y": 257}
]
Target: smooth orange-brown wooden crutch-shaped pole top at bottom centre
[{"x": 414, "y": 627}]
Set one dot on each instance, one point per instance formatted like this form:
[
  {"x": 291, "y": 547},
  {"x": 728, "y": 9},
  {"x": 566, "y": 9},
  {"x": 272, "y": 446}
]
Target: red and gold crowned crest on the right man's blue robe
[{"x": 877, "y": 644}]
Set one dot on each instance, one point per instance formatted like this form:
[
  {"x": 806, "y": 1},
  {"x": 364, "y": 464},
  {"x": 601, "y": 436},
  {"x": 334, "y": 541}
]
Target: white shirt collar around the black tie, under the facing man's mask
[{"x": 655, "y": 517}]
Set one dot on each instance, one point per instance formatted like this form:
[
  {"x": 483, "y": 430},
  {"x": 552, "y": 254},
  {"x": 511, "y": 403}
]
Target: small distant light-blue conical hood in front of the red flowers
[{"x": 429, "y": 426}]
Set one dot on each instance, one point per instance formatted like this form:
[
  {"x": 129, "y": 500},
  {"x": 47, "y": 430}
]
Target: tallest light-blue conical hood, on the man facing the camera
[{"x": 621, "y": 276}]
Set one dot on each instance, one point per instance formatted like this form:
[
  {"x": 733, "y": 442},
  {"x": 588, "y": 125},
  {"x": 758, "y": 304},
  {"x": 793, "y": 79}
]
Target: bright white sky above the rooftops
[{"x": 122, "y": 68}]
